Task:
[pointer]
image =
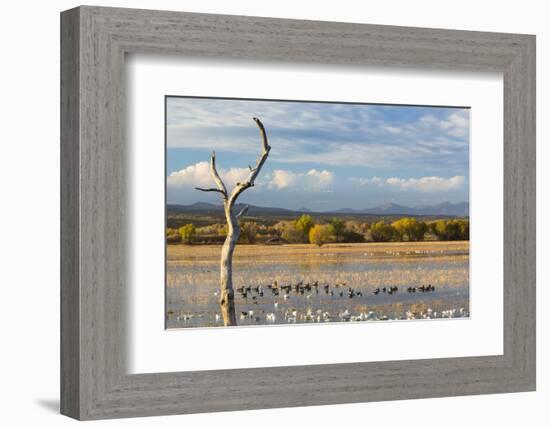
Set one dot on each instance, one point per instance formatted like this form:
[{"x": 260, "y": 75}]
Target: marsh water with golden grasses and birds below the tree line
[{"x": 333, "y": 283}]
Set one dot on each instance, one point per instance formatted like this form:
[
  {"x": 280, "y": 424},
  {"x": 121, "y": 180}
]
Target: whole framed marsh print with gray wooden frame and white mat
[{"x": 296, "y": 212}]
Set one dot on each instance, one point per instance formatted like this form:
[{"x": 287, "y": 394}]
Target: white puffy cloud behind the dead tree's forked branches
[{"x": 198, "y": 175}]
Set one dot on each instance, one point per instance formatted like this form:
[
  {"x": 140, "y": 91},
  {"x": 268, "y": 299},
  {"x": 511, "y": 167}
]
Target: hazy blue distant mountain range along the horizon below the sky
[{"x": 460, "y": 209}]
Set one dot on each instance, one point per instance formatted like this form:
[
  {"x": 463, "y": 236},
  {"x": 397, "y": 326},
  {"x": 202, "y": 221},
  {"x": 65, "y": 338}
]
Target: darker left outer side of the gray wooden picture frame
[{"x": 70, "y": 263}]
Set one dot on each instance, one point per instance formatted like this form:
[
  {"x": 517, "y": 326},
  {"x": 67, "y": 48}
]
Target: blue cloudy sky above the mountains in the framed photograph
[{"x": 324, "y": 156}]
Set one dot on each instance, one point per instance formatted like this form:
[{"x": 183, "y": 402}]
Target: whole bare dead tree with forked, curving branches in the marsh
[{"x": 227, "y": 295}]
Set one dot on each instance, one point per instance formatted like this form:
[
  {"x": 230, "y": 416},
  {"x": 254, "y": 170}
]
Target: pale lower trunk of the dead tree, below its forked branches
[{"x": 227, "y": 294}]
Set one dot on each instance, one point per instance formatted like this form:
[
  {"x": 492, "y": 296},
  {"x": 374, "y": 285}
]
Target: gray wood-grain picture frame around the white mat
[{"x": 94, "y": 41}]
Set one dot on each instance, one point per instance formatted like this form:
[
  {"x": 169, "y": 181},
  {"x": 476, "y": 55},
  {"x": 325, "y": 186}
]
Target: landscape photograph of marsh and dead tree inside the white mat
[{"x": 286, "y": 212}]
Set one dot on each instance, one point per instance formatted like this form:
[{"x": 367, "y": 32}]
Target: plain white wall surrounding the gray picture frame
[{"x": 29, "y": 168}]
